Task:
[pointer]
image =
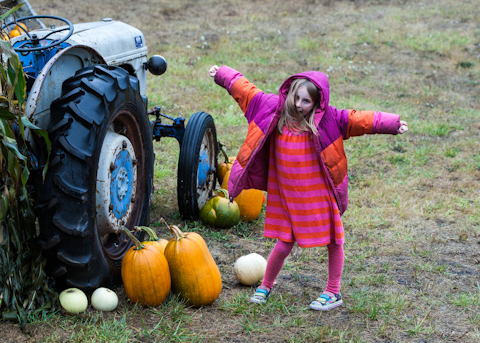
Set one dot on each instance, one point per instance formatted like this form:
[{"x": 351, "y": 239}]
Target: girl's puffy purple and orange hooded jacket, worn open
[{"x": 250, "y": 169}]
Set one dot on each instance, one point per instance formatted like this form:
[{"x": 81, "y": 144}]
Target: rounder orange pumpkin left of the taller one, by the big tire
[{"x": 145, "y": 273}]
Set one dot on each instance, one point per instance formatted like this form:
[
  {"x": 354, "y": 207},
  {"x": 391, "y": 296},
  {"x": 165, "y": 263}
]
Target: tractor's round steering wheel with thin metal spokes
[{"x": 33, "y": 42}]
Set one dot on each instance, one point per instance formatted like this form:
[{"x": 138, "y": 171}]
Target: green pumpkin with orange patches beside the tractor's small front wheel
[{"x": 220, "y": 211}]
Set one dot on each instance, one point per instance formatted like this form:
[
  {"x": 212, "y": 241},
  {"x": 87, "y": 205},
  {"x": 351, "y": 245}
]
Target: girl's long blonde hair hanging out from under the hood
[{"x": 290, "y": 117}]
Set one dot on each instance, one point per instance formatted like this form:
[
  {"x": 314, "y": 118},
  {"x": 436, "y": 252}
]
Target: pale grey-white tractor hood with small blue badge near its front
[{"x": 117, "y": 42}]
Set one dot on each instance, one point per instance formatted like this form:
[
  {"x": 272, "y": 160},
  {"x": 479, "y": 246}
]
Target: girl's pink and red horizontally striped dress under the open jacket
[{"x": 301, "y": 205}]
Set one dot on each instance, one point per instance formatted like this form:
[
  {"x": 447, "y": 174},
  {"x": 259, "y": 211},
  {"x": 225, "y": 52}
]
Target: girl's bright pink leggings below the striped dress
[{"x": 283, "y": 249}]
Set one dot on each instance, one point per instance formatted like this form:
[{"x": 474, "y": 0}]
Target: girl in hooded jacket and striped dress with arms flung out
[{"x": 294, "y": 151}]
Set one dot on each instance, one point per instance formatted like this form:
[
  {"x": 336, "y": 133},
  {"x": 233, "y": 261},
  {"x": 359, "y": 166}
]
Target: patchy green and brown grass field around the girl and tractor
[{"x": 412, "y": 250}]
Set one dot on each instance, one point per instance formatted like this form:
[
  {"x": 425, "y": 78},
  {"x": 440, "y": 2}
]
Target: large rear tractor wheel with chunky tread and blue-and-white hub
[{"x": 100, "y": 107}]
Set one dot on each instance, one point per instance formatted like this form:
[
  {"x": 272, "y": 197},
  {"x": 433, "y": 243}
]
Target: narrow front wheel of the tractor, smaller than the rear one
[{"x": 197, "y": 165}]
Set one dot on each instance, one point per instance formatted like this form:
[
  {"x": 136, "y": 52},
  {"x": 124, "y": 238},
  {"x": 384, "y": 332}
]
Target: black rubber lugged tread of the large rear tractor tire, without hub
[{"x": 65, "y": 211}]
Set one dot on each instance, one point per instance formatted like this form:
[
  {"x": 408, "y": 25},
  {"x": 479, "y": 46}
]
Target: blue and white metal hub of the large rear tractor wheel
[{"x": 116, "y": 183}]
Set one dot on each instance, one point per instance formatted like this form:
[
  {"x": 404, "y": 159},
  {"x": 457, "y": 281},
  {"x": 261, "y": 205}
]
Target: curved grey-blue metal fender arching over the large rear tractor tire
[{"x": 48, "y": 85}]
